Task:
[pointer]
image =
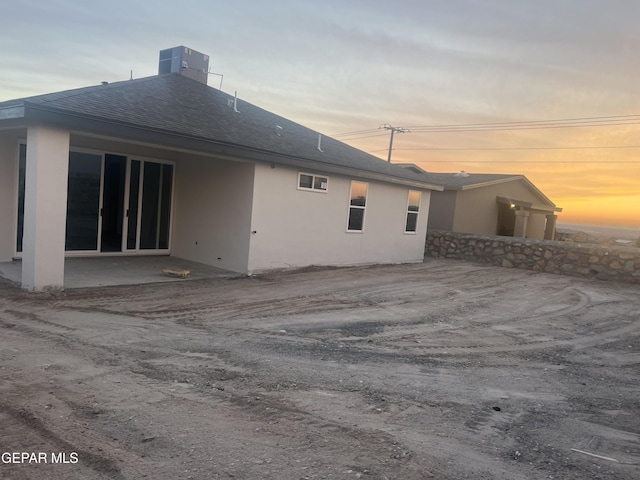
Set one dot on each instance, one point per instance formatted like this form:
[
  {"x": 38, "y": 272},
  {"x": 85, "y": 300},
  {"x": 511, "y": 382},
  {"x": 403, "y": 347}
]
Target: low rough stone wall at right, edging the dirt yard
[{"x": 588, "y": 260}]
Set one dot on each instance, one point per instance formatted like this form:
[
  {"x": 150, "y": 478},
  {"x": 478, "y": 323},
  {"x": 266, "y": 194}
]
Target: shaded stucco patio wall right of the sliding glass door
[{"x": 212, "y": 212}]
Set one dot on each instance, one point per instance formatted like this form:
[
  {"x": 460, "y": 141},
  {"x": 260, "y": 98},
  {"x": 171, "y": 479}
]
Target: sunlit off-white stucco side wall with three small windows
[{"x": 295, "y": 228}]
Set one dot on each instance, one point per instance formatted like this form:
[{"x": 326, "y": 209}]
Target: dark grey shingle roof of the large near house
[{"x": 175, "y": 105}]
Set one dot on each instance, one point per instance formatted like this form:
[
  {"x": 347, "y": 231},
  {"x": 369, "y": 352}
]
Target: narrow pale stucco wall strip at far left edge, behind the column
[{"x": 8, "y": 180}]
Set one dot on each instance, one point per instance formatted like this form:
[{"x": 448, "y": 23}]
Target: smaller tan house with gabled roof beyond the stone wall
[{"x": 489, "y": 204}]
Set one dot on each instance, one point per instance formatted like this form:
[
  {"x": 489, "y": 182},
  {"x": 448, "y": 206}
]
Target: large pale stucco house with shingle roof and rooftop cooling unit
[{"x": 168, "y": 165}]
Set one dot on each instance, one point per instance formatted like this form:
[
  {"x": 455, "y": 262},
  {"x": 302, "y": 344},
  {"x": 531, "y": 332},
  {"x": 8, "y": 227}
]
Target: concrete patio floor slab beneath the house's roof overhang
[{"x": 81, "y": 272}]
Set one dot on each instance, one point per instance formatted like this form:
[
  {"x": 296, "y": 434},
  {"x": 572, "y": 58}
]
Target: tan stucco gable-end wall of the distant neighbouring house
[{"x": 476, "y": 209}]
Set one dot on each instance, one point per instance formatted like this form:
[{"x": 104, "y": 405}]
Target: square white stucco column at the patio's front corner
[{"x": 45, "y": 208}]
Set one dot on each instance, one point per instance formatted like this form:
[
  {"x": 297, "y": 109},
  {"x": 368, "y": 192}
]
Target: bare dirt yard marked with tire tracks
[{"x": 441, "y": 370}]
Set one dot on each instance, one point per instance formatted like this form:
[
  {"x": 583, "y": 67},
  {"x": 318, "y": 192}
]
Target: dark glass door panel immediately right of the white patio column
[{"x": 83, "y": 201}]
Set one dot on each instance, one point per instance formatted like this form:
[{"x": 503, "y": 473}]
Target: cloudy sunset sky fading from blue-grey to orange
[{"x": 352, "y": 65}]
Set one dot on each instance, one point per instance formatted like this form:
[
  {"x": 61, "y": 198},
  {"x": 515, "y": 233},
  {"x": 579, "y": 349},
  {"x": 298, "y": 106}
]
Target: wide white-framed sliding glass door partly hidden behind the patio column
[{"x": 114, "y": 203}]
